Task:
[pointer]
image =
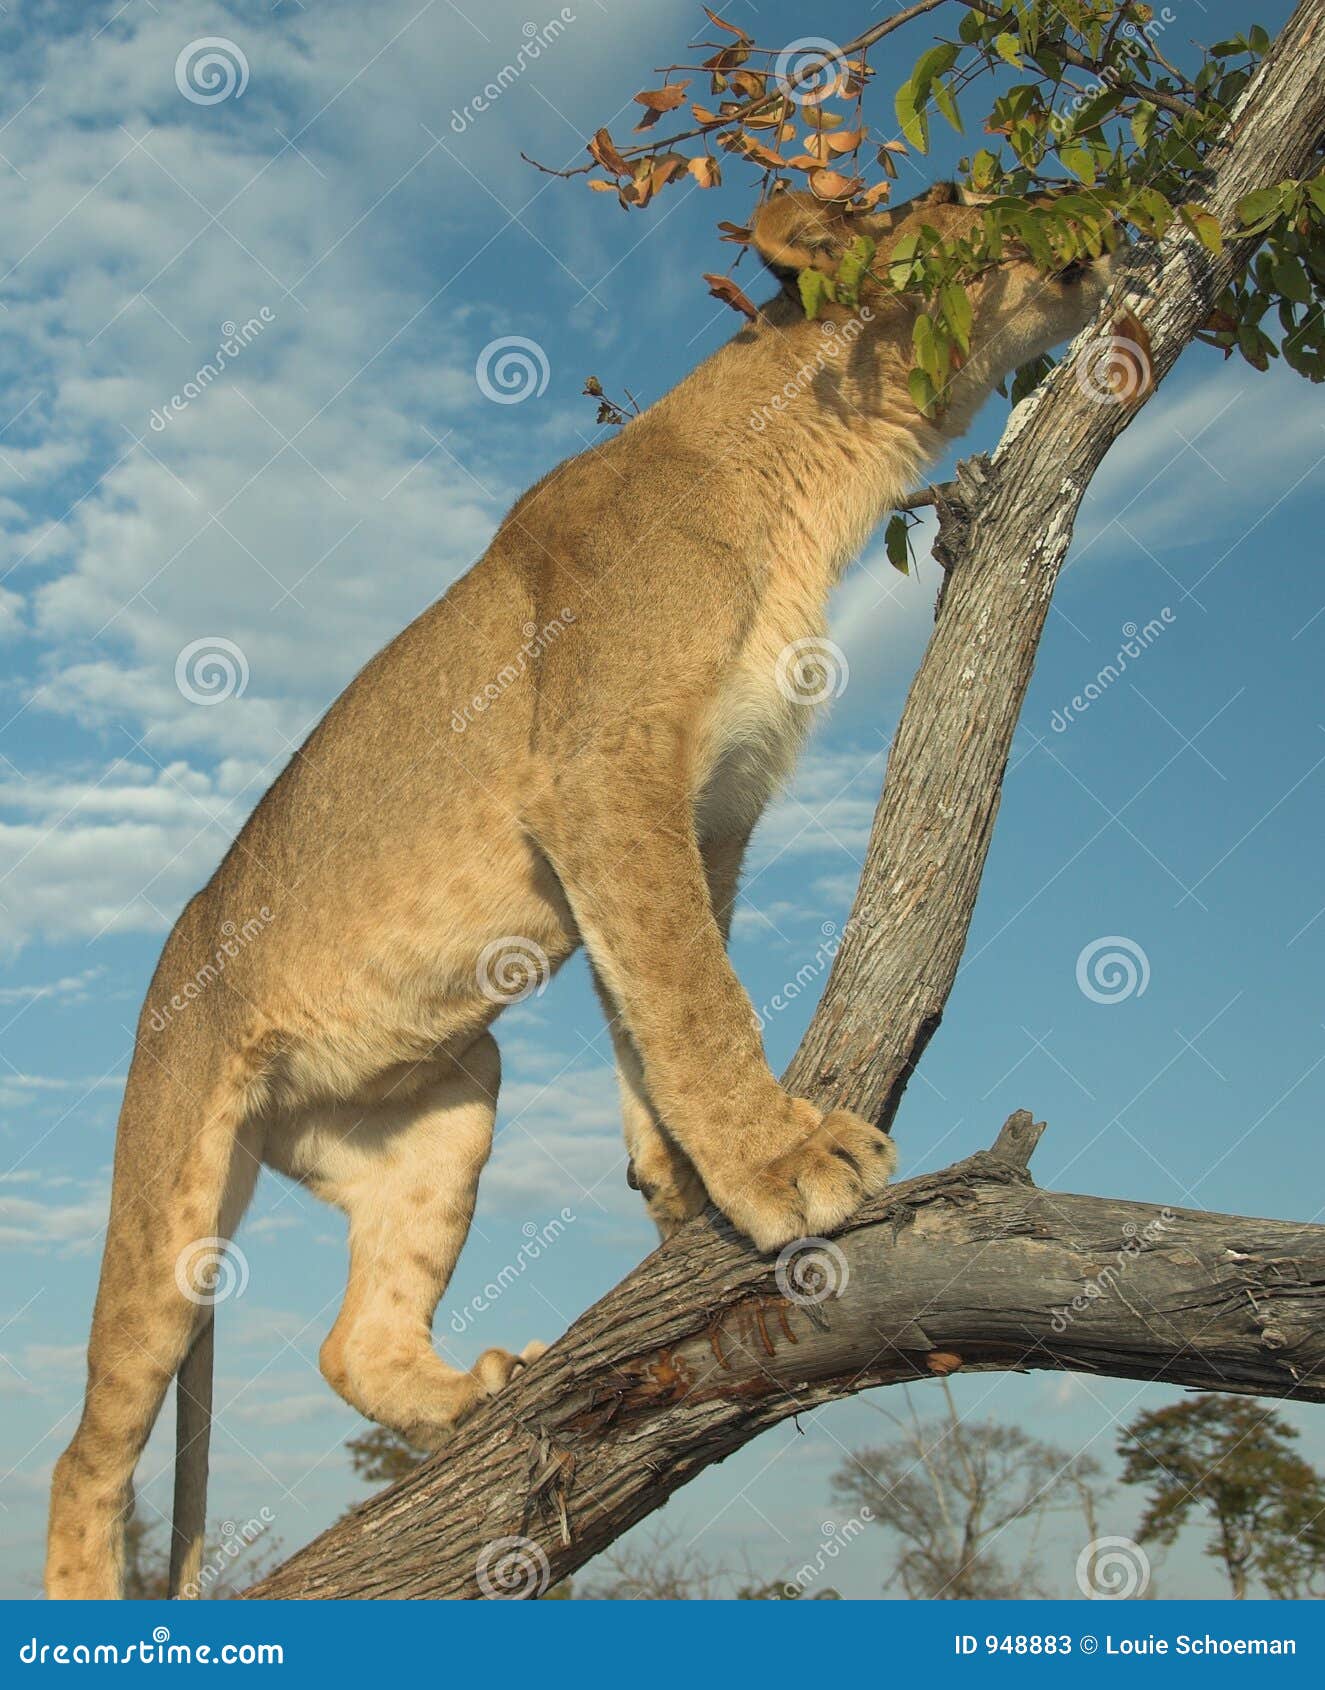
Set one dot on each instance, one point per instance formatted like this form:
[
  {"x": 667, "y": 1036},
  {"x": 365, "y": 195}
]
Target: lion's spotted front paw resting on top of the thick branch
[{"x": 815, "y": 1186}]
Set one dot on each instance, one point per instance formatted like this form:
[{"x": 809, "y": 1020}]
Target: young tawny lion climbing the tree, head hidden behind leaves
[{"x": 574, "y": 744}]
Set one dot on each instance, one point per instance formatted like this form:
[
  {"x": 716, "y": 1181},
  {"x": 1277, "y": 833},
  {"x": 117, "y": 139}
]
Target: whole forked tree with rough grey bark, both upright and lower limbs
[{"x": 702, "y": 1348}]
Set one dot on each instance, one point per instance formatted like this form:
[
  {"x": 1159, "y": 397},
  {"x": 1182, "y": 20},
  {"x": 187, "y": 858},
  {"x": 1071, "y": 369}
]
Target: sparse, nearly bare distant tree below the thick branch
[{"x": 951, "y": 1490}]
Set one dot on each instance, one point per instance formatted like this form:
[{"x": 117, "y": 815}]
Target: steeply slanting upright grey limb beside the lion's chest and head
[{"x": 1003, "y": 538}]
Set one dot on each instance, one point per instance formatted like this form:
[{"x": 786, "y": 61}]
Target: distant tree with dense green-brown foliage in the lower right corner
[{"x": 1230, "y": 1459}]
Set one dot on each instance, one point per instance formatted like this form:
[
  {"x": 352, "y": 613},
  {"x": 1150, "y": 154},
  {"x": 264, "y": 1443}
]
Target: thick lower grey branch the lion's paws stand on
[{"x": 707, "y": 1344}]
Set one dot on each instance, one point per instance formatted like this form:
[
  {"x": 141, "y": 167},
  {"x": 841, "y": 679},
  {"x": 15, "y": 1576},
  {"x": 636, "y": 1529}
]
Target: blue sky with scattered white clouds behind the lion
[{"x": 344, "y": 469}]
